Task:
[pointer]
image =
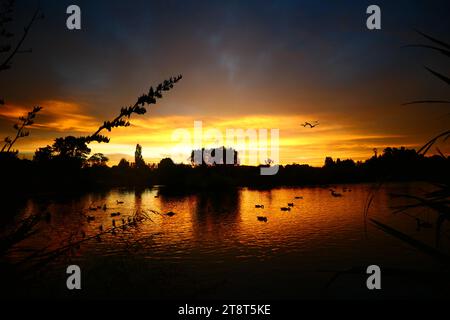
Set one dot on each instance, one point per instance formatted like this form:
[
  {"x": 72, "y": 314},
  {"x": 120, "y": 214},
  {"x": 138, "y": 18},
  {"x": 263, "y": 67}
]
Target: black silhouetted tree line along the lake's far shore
[{"x": 66, "y": 166}]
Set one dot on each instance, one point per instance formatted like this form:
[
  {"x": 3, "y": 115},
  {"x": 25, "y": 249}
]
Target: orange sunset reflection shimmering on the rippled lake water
[{"x": 222, "y": 224}]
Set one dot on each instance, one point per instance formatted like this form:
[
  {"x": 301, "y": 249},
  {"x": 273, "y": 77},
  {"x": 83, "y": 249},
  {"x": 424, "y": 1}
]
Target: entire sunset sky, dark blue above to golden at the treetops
[{"x": 245, "y": 64}]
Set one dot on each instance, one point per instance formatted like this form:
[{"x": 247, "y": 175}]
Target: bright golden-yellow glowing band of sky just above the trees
[{"x": 332, "y": 137}]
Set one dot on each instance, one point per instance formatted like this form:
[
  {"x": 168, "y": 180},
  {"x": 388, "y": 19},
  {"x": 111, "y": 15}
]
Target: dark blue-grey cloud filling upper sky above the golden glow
[{"x": 257, "y": 50}]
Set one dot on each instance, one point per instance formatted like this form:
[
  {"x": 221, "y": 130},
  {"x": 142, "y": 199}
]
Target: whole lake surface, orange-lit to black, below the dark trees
[{"x": 215, "y": 246}]
